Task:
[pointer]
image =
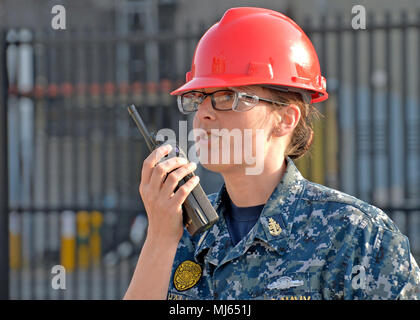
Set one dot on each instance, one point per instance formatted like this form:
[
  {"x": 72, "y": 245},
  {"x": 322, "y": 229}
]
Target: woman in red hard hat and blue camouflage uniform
[{"x": 279, "y": 236}]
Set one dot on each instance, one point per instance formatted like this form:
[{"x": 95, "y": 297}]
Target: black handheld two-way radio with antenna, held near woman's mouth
[{"x": 198, "y": 213}]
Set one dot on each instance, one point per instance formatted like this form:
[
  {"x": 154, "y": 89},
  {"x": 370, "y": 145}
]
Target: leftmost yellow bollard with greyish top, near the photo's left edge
[{"x": 15, "y": 236}]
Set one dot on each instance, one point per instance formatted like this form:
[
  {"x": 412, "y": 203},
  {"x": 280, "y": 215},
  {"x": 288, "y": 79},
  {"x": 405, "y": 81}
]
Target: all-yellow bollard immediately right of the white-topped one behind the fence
[{"x": 83, "y": 233}]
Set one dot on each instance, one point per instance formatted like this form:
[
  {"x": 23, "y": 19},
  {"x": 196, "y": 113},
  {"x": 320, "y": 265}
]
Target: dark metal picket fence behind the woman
[{"x": 74, "y": 156}]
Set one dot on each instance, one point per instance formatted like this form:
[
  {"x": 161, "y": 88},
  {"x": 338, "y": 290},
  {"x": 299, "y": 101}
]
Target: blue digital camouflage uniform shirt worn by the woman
[{"x": 331, "y": 246}]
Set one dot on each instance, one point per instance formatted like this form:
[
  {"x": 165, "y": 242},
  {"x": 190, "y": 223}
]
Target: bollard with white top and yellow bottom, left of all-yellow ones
[{"x": 68, "y": 240}]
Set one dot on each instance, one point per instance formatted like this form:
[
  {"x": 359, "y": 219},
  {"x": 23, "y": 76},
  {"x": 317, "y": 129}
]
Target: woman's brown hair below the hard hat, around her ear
[{"x": 302, "y": 137}]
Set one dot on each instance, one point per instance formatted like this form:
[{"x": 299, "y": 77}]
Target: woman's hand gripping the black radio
[{"x": 163, "y": 205}]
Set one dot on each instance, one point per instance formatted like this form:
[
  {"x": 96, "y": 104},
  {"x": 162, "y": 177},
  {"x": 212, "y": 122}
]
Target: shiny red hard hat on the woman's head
[{"x": 255, "y": 46}]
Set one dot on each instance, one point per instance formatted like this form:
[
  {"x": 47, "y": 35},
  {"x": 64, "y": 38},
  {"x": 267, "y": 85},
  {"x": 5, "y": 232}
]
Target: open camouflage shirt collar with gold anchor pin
[{"x": 278, "y": 211}]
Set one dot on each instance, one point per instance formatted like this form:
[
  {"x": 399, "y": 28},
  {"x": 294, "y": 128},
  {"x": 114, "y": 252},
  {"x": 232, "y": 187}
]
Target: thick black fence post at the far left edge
[{"x": 4, "y": 187}]
